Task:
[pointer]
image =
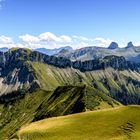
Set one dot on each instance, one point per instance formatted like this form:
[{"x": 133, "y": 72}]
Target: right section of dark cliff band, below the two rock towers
[{"x": 110, "y": 61}]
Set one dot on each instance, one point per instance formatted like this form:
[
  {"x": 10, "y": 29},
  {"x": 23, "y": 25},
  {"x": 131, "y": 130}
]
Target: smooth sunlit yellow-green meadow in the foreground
[{"x": 122, "y": 123}]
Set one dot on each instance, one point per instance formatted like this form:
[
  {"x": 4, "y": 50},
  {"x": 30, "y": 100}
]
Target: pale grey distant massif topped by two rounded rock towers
[{"x": 130, "y": 52}]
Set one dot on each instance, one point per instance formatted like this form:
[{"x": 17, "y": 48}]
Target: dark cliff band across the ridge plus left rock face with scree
[{"x": 16, "y": 73}]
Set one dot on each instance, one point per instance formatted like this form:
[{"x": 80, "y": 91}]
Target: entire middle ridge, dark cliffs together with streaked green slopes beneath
[{"x": 22, "y": 69}]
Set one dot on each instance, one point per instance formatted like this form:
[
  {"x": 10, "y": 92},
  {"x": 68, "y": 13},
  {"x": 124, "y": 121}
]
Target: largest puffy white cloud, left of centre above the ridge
[{"x": 47, "y": 40}]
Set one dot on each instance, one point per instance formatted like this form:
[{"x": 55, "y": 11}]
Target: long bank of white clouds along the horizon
[{"x": 51, "y": 41}]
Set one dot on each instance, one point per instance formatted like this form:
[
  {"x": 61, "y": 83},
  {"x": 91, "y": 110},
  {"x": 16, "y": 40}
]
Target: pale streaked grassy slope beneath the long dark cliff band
[{"x": 124, "y": 86}]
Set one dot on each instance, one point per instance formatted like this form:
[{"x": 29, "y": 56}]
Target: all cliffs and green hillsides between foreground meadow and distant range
[{"x": 34, "y": 86}]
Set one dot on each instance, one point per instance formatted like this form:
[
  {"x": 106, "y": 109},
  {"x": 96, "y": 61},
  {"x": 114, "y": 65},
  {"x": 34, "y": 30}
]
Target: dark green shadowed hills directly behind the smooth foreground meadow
[{"x": 42, "y": 104}]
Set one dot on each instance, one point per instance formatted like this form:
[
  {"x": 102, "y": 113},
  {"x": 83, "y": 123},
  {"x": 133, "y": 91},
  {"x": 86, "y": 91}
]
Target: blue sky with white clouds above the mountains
[{"x": 69, "y": 22}]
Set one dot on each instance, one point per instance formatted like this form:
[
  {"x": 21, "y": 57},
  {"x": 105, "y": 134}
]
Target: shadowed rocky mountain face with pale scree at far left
[{"x": 15, "y": 73}]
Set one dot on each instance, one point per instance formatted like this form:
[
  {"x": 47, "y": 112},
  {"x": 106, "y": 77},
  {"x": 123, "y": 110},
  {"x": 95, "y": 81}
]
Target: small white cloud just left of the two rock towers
[{"x": 99, "y": 41}]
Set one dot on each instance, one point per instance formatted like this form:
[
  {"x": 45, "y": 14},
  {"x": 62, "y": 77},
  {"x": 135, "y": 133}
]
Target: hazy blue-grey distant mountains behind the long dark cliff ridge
[{"x": 130, "y": 52}]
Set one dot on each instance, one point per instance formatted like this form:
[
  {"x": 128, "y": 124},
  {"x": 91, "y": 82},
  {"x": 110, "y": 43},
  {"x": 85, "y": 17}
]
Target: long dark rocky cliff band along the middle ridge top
[{"x": 17, "y": 58}]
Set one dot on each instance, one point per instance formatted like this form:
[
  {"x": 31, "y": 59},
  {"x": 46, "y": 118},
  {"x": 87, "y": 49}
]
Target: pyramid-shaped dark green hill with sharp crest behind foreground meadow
[{"x": 73, "y": 99}]
